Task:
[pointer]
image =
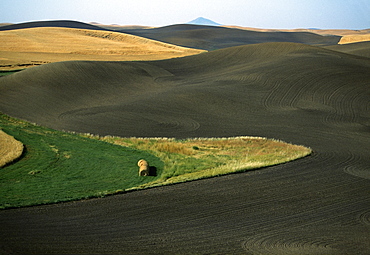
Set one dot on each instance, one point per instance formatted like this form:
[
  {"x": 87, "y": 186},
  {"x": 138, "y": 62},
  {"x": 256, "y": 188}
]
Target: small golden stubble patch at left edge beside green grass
[{"x": 10, "y": 149}]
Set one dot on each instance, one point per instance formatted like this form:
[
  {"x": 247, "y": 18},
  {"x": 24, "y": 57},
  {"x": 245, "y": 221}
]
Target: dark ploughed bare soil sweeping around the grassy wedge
[{"x": 294, "y": 92}]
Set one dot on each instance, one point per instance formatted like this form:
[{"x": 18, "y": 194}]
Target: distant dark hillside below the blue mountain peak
[{"x": 211, "y": 38}]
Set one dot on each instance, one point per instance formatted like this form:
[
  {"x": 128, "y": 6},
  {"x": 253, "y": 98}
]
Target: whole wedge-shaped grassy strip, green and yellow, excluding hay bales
[{"x": 62, "y": 166}]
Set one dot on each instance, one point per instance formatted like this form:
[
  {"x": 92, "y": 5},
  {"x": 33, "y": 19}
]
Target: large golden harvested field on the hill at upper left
[{"x": 33, "y": 46}]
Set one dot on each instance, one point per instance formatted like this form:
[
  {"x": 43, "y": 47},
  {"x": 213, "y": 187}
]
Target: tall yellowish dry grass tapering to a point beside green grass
[{"x": 198, "y": 158}]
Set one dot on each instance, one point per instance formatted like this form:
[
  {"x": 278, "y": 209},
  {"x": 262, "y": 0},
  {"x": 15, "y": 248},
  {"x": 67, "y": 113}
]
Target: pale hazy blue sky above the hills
[{"x": 350, "y": 14}]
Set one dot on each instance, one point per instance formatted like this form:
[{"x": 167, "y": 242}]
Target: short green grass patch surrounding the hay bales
[{"x": 59, "y": 166}]
